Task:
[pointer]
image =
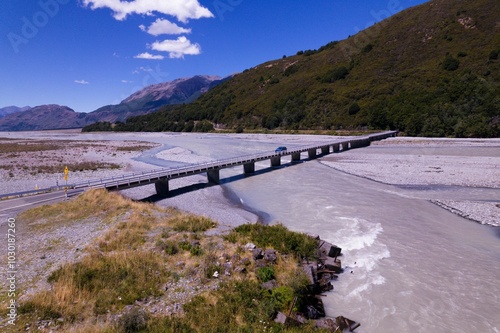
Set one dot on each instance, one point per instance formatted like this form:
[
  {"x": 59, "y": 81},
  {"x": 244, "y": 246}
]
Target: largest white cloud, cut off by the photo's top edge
[{"x": 183, "y": 10}]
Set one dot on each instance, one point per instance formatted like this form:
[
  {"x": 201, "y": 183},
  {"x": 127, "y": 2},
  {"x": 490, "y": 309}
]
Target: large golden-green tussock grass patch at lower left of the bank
[{"x": 97, "y": 284}]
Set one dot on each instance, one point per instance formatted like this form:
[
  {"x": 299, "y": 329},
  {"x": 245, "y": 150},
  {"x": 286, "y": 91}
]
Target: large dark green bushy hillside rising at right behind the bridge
[{"x": 431, "y": 70}]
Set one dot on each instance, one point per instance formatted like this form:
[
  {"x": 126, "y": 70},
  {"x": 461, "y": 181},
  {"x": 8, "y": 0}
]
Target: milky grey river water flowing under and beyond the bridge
[{"x": 410, "y": 266}]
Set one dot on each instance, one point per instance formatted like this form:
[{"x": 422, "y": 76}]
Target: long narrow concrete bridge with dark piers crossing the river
[{"x": 162, "y": 176}]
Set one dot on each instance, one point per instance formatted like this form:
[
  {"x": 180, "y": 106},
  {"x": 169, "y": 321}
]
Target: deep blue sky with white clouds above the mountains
[{"x": 88, "y": 53}]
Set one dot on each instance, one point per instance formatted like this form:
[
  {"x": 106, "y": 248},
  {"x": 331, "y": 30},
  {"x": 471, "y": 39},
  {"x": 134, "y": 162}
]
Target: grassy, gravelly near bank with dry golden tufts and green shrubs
[{"x": 155, "y": 270}]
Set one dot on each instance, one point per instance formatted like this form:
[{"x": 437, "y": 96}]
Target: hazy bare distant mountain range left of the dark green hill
[{"x": 146, "y": 100}]
